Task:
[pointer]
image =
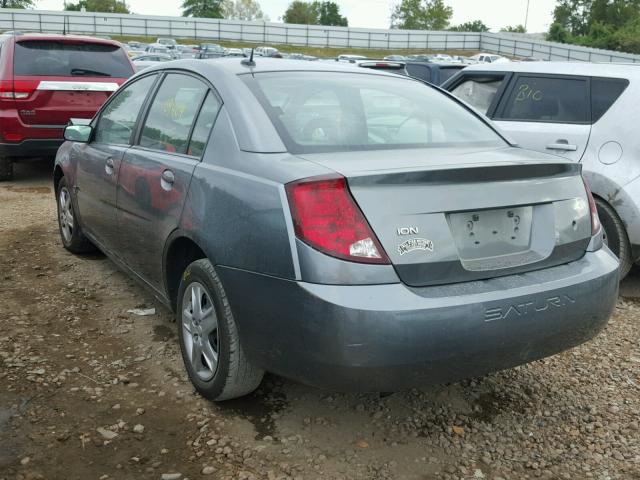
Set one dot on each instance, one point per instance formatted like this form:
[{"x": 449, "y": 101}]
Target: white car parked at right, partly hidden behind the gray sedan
[{"x": 585, "y": 112}]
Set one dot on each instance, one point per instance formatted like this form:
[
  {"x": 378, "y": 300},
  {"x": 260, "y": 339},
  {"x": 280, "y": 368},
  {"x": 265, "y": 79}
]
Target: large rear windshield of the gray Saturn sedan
[{"x": 324, "y": 112}]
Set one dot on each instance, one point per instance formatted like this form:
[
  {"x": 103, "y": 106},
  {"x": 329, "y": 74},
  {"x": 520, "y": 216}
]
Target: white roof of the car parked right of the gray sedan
[{"x": 563, "y": 68}]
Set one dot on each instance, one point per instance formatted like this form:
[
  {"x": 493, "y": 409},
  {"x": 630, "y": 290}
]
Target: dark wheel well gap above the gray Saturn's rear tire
[{"x": 180, "y": 251}]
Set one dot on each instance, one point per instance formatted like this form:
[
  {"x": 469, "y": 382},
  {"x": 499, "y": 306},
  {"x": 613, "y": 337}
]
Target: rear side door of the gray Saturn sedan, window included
[{"x": 156, "y": 172}]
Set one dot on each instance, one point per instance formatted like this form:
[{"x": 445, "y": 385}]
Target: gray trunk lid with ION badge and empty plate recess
[{"x": 448, "y": 215}]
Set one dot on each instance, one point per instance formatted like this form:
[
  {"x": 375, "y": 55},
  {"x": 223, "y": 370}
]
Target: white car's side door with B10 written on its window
[{"x": 547, "y": 113}]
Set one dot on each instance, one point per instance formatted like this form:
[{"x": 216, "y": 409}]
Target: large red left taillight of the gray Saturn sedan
[{"x": 326, "y": 217}]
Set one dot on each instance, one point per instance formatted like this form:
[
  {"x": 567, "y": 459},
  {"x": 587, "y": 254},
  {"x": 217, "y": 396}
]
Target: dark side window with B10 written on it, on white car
[{"x": 548, "y": 99}]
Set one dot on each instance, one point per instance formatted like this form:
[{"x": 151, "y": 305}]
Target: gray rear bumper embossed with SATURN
[{"x": 391, "y": 337}]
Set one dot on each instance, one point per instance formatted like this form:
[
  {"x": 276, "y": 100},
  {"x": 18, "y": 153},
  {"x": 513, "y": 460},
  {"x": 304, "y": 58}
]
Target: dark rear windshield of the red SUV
[{"x": 37, "y": 57}]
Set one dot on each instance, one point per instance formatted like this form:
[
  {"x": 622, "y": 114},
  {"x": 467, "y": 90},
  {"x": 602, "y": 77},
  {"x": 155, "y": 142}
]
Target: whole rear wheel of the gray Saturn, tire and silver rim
[{"x": 209, "y": 341}]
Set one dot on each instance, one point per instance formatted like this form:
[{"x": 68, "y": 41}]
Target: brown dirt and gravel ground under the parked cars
[{"x": 89, "y": 391}]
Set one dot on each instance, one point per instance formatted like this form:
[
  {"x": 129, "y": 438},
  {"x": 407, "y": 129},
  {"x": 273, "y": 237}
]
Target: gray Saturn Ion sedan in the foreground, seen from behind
[{"x": 346, "y": 228}]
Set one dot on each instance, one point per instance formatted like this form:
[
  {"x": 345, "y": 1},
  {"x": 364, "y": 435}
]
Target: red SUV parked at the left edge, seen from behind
[{"x": 45, "y": 80}]
